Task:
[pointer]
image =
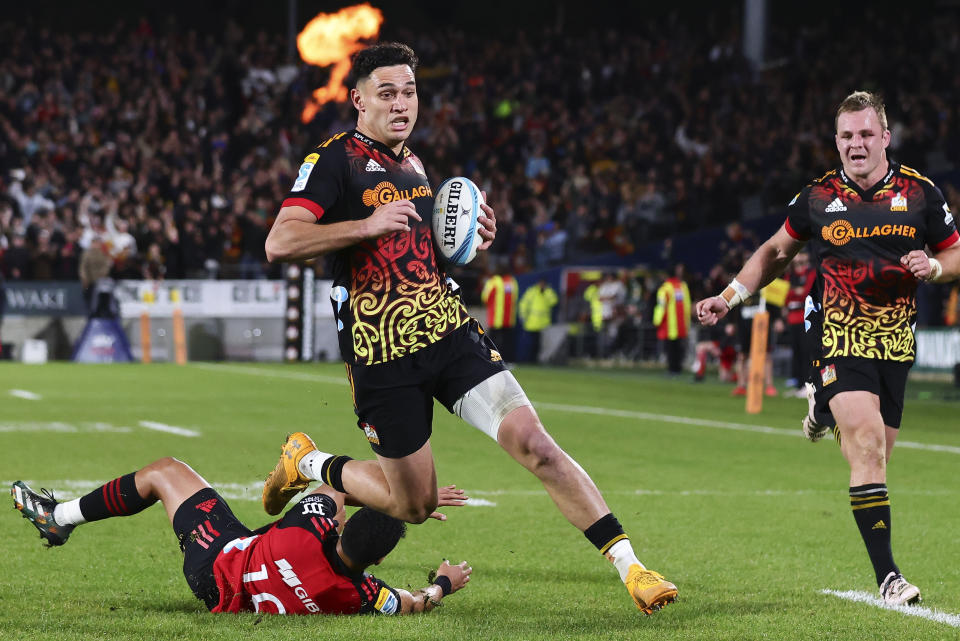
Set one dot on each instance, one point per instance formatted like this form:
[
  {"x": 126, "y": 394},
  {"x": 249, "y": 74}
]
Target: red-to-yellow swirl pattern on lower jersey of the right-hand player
[{"x": 868, "y": 307}]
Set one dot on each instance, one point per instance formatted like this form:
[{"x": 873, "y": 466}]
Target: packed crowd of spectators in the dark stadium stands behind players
[{"x": 154, "y": 151}]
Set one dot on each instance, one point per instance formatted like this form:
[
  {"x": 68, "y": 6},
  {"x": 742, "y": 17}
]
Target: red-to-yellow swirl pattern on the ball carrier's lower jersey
[{"x": 400, "y": 302}]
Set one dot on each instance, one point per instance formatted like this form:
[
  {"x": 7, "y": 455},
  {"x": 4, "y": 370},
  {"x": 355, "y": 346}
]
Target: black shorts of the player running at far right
[{"x": 886, "y": 379}]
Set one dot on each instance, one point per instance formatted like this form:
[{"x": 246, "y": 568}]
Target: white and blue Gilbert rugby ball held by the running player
[{"x": 456, "y": 231}]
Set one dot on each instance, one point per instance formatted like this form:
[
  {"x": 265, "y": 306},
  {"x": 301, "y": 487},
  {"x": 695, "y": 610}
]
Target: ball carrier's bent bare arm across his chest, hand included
[{"x": 295, "y": 234}]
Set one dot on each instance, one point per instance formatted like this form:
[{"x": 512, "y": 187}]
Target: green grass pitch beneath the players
[{"x": 747, "y": 518}]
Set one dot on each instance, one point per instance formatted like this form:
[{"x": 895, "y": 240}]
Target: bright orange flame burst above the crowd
[{"x": 330, "y": 39}]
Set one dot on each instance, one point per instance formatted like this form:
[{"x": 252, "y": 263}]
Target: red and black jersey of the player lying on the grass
[{"x": 293, "y": 568}]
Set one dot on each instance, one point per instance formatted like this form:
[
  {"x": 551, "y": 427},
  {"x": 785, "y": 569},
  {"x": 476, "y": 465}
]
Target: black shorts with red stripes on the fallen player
[{"x": 204, "y": 525}]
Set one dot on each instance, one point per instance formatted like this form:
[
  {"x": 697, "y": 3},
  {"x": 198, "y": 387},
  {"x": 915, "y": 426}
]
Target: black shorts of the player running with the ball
[{"x": 394, "y": 400}]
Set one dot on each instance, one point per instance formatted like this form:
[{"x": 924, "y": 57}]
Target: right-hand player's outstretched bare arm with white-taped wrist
[{"x": 768, "y": 262}]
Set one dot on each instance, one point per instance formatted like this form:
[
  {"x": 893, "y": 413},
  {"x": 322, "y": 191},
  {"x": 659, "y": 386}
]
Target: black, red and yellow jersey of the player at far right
[{"x": 867, "y": 298}]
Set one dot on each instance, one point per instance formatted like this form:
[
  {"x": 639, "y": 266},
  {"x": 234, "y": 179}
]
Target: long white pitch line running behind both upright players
[{"x": 585, "y": 409}]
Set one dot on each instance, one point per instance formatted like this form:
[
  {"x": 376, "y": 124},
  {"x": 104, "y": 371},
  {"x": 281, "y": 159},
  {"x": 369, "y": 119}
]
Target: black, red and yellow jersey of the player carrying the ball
[{"x": 389, "y": 296}]
